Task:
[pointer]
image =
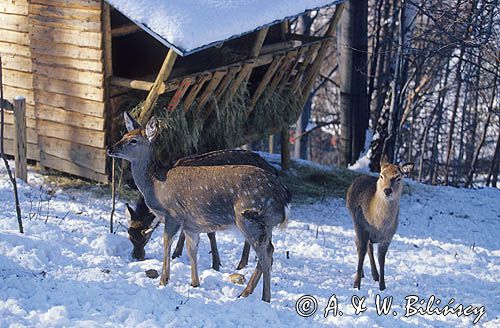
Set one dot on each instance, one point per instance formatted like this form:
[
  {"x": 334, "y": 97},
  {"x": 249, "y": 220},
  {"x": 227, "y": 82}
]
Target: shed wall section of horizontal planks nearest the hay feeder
[{"x": 65, "y": 38}]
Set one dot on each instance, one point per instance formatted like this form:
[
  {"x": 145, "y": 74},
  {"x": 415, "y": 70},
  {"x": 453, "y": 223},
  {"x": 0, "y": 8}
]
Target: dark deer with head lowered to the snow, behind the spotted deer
[{"x": 141, "y": 219}]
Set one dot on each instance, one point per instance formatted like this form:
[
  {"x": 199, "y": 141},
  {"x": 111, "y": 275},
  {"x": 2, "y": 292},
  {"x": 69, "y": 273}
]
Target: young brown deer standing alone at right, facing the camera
[{"x": 374, "y": 206}]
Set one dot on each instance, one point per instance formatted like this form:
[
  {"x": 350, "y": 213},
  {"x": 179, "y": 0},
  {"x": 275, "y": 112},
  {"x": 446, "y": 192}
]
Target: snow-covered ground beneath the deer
[{"x": 68, "y": 270}]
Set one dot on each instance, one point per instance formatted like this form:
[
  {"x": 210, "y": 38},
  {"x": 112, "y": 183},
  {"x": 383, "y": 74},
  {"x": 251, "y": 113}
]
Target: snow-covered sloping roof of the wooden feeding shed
[{"x": 188, "y": 26}]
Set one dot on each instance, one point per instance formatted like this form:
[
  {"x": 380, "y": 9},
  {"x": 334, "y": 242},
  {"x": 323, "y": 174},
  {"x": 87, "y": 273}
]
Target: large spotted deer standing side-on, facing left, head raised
[{"x": 206, "y": 199}]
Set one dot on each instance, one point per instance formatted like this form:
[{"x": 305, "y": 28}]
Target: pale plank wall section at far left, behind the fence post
[{"x": 17, "y": 70}]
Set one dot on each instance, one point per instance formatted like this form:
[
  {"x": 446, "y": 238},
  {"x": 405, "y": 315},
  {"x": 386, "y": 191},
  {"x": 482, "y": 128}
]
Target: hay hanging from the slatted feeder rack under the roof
[{"x": 184, "y": 133}]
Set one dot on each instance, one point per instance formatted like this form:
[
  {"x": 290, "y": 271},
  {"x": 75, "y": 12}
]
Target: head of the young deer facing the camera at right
[{"x": 390, "y": 181}]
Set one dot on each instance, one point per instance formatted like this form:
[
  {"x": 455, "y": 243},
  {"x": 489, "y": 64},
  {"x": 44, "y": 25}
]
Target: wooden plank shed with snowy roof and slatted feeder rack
[{"x": 75, "y": 61}]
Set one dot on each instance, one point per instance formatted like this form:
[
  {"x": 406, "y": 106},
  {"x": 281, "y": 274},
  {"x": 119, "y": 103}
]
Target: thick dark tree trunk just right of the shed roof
[{"x": 353, "y": 83}]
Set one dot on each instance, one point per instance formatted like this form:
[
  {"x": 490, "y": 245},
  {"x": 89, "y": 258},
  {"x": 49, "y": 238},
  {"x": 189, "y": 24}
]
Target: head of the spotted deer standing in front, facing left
[{"x": 135, "y": 144}]
